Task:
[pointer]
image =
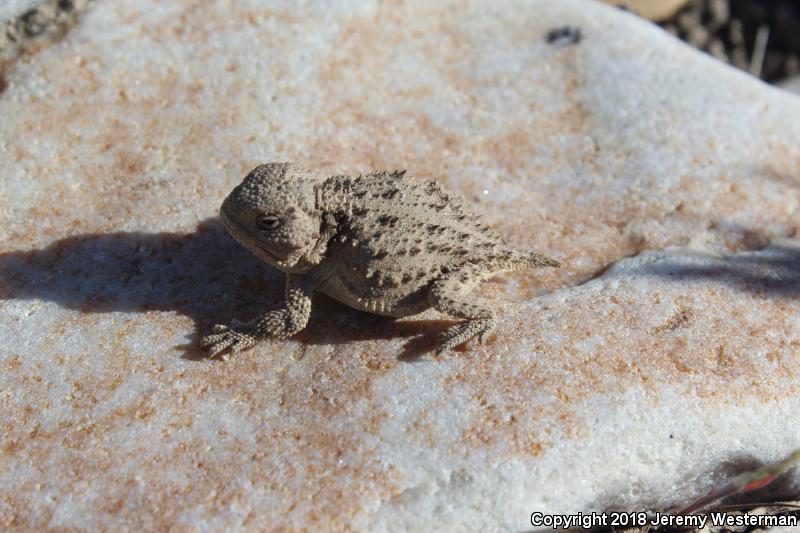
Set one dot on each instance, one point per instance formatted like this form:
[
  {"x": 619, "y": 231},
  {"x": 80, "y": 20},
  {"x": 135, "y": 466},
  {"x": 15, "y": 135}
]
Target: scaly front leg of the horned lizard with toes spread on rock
[{"x": 281, "y": 323}]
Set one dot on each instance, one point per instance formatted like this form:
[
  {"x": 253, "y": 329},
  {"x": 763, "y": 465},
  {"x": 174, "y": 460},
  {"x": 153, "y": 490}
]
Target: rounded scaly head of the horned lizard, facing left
[{"x": 272, "y": 213}]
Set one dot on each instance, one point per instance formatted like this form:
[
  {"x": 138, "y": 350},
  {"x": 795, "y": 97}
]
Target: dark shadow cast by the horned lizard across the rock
[{"x": 203, "y": 275}]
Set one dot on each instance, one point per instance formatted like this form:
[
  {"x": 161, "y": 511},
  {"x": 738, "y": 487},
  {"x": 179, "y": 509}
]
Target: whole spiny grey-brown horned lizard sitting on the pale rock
[{"x": 382, "y": 243}]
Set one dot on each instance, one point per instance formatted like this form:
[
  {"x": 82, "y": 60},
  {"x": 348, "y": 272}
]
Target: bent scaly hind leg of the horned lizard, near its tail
[{"x": 450, "y": 295}]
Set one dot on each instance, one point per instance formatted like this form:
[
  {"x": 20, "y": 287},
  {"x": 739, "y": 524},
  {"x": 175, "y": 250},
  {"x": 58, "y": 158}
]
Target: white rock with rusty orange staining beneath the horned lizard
[{"x": 614, "y": 382}]
